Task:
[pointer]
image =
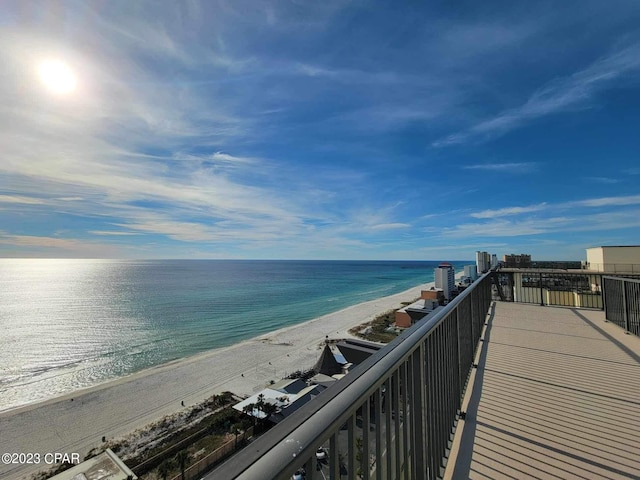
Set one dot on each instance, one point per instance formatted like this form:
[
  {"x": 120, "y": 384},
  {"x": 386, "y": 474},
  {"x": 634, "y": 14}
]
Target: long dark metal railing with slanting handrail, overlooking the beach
[{"x": 392, "y": 417}]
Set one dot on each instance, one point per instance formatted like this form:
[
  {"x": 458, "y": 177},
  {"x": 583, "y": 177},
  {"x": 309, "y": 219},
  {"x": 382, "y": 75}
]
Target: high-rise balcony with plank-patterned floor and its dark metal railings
[{"x": 477, "y": 390}]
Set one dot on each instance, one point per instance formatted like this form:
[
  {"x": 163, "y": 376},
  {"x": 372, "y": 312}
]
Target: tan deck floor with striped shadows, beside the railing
[{"x": 556, "y": 395}]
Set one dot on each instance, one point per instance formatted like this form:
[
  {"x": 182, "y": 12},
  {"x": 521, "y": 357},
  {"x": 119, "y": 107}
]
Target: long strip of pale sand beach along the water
[{"x": 77, "y": 422}]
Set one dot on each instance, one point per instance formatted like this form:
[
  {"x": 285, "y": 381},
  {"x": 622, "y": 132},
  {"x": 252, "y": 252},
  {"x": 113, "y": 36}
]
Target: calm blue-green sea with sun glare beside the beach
[{"x": 70, "y": 324}]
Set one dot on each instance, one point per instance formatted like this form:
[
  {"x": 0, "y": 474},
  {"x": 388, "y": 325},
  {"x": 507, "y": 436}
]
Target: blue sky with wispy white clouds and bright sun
[{"x": 297, "y": 129}]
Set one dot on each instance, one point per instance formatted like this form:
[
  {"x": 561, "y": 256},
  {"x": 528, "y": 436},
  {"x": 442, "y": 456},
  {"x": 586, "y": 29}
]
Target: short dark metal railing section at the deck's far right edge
[{"x": 622, "y": 302}]
